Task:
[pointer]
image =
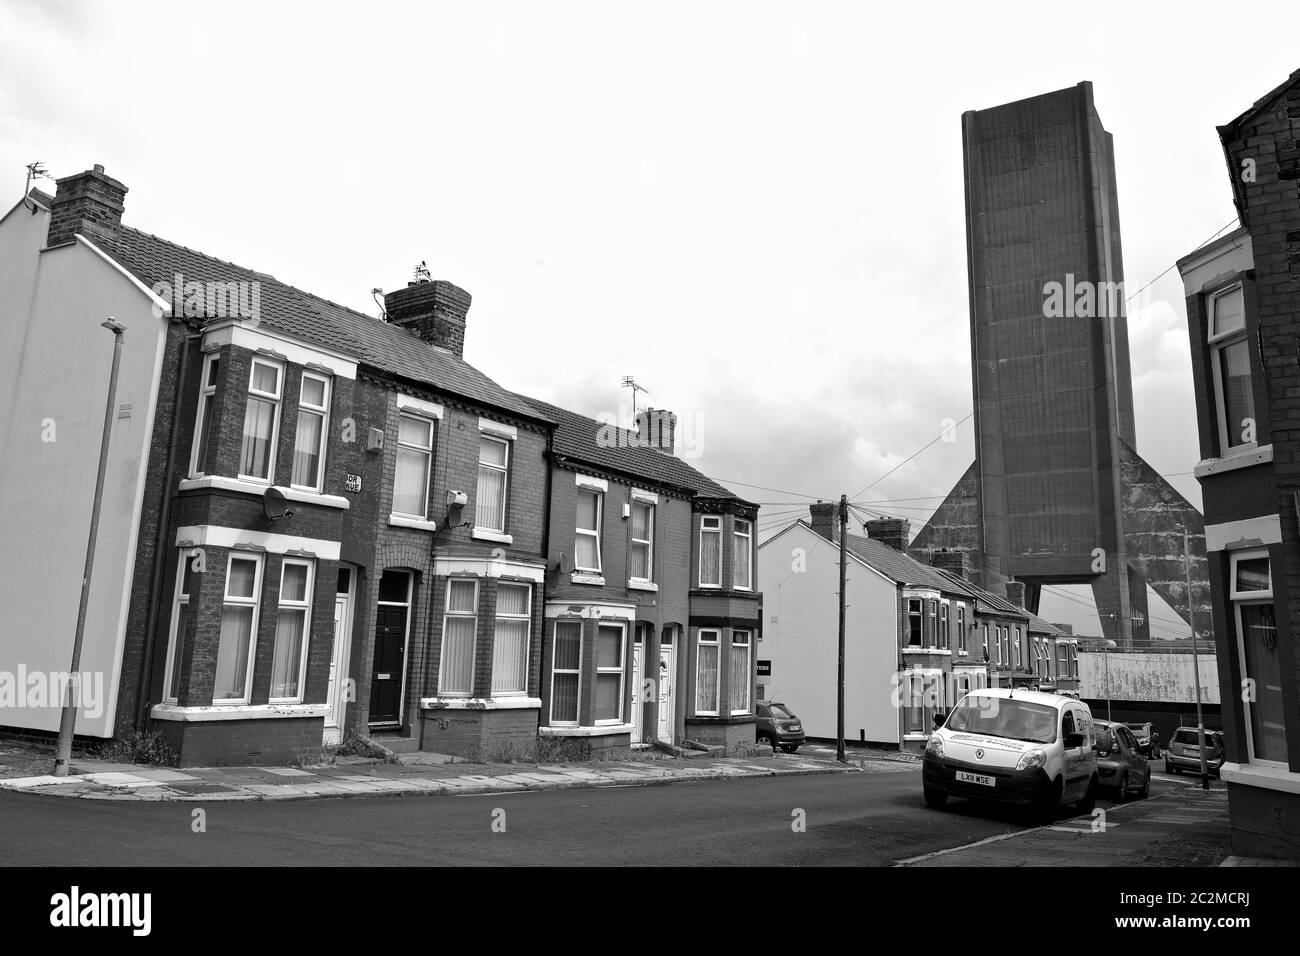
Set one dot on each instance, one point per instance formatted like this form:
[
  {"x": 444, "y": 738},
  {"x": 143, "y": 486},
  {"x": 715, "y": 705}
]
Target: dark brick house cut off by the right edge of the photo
[{"x": 1243, "y": 319}]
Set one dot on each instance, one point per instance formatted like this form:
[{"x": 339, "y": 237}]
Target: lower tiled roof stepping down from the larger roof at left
[{"x": 577, "y": 436}]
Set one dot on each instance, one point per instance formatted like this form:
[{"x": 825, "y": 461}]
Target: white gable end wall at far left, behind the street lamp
[{"x": 54, "y": 369}]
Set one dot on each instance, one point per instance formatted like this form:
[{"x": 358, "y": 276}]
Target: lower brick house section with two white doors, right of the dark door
[{"x": 652, "y": 598}]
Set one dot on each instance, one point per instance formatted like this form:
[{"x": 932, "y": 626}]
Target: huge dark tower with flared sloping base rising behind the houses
[{"x": 1058, "y": 495}]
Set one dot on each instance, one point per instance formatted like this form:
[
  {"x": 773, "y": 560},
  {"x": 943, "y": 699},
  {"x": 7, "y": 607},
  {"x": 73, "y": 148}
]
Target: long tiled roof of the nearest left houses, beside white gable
[{"x": 310, "y": 318}]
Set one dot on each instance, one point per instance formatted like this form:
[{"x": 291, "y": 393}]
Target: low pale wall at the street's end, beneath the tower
[{"x": 1147, "y": 677}]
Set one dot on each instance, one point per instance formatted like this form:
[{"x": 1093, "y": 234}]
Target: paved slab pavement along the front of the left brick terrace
[{"x": 411, "y": 775}]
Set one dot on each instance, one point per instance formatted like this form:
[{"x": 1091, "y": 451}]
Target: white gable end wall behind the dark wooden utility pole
[{"x": 801, "y": 637}]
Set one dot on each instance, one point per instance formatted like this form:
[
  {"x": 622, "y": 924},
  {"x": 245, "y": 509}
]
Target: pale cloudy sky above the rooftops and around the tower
[{"x": 755, "y": 209}]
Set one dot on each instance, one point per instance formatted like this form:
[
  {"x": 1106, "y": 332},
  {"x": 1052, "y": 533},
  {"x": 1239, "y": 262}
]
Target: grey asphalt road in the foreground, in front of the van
[{"x": 872, "y": 819}]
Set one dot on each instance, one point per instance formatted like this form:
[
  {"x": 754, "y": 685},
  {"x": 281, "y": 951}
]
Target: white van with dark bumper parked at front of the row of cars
[{"x": 1011, "y": 746}]
